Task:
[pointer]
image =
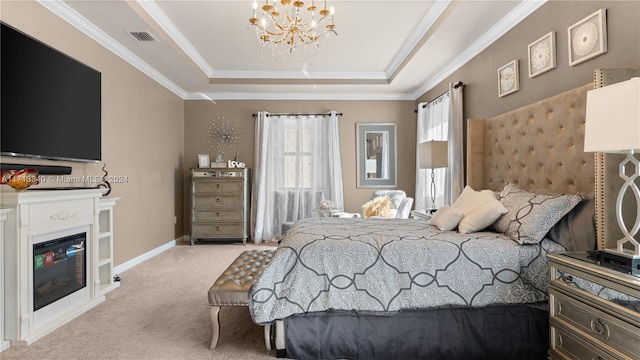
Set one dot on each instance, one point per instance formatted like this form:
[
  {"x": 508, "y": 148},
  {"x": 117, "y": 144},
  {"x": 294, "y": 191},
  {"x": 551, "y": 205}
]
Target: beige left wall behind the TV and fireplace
[{"x": 142, "y": 135}]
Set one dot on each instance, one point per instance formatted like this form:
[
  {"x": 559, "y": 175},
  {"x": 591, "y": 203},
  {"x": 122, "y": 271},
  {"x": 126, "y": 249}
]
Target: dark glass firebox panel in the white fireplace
[{"x": 59, "y": 269}]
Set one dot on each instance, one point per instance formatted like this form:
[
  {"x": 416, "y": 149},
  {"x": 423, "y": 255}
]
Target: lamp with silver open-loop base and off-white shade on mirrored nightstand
[{"x": 613, "y": 126}]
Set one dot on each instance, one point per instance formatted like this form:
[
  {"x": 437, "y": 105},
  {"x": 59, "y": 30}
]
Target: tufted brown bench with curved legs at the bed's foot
[{"x": 232, "y": 287}]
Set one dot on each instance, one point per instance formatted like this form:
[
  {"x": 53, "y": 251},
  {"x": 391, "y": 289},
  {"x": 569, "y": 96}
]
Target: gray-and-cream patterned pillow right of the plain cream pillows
[{"x": 531, "y": 215}]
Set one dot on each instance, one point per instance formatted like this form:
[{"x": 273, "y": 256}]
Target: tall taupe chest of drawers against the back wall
[{"x": 220, "y": 204}]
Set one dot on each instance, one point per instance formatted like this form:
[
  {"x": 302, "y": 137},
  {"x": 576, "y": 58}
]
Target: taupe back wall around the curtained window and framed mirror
[{"x": 198, "y": 115}]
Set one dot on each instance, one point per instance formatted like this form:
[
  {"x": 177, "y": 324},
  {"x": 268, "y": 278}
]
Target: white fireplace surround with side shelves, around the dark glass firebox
[{"x": 42, "y": 215}]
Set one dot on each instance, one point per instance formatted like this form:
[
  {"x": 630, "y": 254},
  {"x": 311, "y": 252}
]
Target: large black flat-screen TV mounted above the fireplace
[{"x": 50, "y": 104}]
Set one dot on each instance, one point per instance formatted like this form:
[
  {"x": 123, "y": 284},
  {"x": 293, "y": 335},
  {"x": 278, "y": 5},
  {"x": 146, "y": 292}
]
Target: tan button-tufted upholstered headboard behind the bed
[{"x": 538, "y": 147}]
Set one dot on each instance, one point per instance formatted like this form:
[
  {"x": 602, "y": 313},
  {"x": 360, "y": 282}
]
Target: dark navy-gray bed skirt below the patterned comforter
[{"x": 497, "y": 332}]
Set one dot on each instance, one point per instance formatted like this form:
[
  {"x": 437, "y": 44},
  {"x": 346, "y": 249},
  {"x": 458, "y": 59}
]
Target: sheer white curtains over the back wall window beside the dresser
[{"x": 297, "y": 165}]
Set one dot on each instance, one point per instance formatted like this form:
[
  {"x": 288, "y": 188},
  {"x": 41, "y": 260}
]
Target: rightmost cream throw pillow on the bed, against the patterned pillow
[{"x": 480, "y": 208}]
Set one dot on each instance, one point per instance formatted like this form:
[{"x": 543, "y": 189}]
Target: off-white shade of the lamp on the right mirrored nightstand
[{"x": 613, "y": 118}]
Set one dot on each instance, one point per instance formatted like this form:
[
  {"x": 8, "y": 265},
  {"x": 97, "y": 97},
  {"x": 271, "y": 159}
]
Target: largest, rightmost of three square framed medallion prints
[{"x": 588, "y": 37}]
